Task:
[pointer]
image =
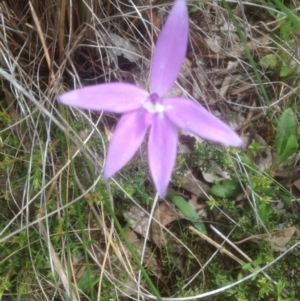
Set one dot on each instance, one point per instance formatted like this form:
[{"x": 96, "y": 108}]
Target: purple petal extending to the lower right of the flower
[{"x": 192, "y": 117}]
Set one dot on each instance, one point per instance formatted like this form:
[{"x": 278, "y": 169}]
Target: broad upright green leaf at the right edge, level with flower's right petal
[{"x": 286, "y": 127}]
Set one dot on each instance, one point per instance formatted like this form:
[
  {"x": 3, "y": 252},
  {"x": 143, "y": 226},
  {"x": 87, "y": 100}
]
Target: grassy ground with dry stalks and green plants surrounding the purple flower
[{"x": 228, "y": 228}]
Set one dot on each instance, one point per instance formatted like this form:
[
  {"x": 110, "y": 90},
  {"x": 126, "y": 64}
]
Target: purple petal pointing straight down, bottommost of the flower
[{"x": 162, "y": 149}]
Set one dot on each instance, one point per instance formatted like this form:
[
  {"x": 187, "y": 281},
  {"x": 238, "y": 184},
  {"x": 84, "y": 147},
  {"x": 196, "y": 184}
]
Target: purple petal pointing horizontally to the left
[{"x": 114, "y": 97}]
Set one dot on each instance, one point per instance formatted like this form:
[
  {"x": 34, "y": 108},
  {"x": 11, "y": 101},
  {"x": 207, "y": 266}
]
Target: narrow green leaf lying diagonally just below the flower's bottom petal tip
[{"x": 187, "y": 210}]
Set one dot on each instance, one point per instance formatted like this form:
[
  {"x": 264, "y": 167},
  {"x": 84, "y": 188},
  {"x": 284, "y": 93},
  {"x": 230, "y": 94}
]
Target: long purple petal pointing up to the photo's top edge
[{"x": 170, "y": 49}]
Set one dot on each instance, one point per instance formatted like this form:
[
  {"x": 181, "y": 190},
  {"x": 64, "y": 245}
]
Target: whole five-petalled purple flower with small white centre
[{"x": 143, "y": 110}]
